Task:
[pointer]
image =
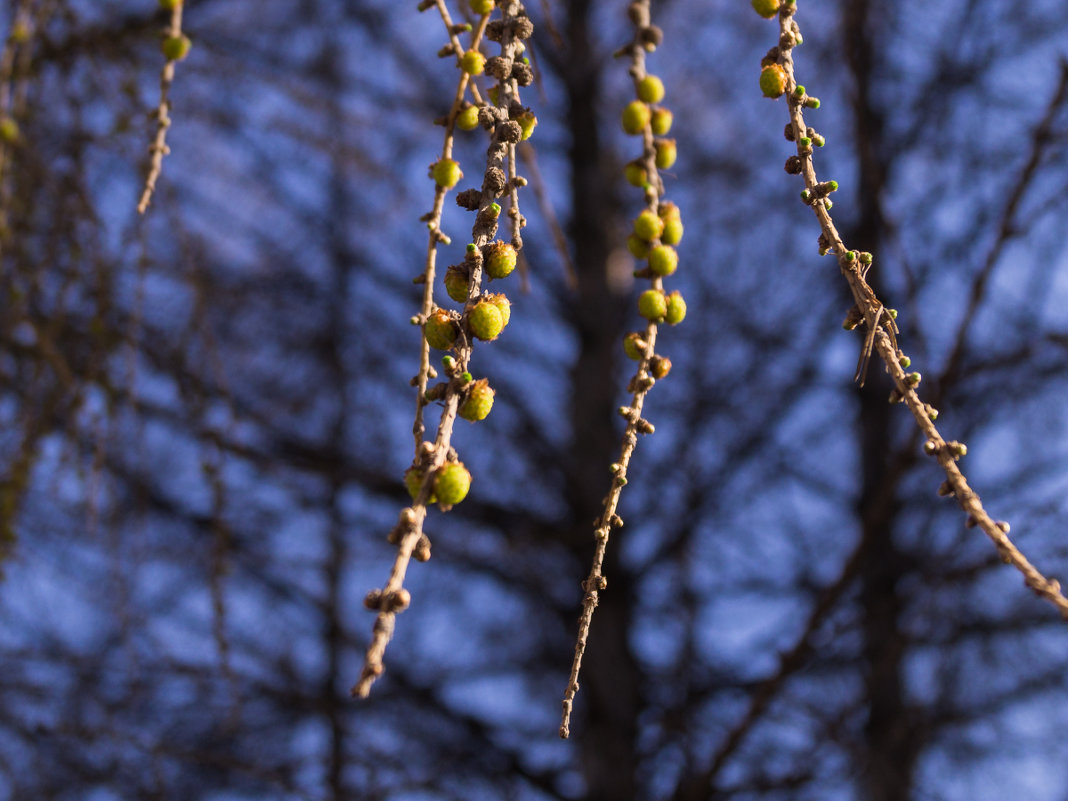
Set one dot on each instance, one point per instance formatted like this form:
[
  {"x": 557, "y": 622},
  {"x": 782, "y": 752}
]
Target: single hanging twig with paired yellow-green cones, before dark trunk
[{"x": 657, "y": 230}]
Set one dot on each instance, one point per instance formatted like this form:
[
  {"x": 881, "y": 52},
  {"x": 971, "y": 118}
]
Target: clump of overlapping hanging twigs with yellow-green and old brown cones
[{"x": 437, "y": 476}]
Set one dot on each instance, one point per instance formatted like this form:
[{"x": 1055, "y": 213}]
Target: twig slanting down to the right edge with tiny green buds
[{"x": 778, "y": 80}]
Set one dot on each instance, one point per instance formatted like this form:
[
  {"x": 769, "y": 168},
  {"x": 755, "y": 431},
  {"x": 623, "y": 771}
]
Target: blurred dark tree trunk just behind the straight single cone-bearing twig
[{"x": 608, "y": 703}]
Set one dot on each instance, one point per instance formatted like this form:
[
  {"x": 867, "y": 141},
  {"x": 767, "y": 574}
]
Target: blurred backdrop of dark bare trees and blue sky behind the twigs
[{"x": 207, "y": 416}]
